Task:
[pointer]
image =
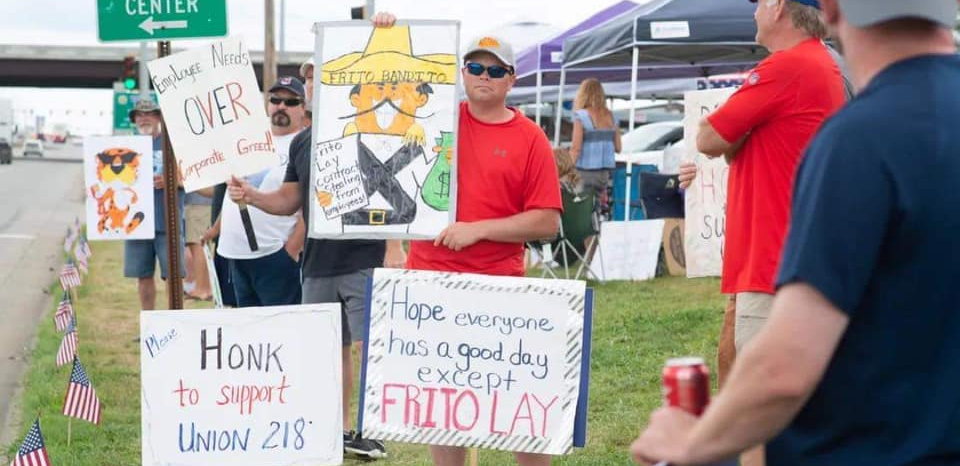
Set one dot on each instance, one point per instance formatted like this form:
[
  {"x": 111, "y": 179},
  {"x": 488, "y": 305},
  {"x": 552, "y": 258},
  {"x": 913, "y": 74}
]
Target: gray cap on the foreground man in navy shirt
[{"x": 863, "y": 13}]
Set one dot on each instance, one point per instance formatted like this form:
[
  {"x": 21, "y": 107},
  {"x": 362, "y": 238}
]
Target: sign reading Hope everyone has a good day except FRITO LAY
[{"x": 463, "y": 359}]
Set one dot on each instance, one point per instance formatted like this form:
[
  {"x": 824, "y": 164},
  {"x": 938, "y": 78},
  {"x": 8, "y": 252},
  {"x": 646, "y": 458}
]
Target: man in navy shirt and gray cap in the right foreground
[{"x": 860, "y": 360}]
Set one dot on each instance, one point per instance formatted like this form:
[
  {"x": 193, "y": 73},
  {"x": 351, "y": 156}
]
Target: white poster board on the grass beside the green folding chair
[{"x": 629, "y": 250}]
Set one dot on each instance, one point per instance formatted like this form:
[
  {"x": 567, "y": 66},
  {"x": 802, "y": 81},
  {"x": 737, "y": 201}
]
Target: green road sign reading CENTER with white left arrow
[{"x": 141, "y": 20}]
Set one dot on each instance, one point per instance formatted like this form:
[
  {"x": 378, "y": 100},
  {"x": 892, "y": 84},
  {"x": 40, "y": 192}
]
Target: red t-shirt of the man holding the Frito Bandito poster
[{"x": 502, "y": 170}]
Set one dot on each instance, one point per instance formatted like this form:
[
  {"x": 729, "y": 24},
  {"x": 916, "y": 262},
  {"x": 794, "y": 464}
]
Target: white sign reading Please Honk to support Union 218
[{"x": 241, "y": 386}]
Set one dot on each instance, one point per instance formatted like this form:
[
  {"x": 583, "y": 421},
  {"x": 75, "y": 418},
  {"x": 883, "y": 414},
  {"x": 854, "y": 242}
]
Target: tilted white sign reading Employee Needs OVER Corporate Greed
[{"x": 214, "y": 113}]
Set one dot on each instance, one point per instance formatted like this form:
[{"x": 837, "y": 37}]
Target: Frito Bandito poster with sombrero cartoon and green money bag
[{"x": 384, "y": 129}]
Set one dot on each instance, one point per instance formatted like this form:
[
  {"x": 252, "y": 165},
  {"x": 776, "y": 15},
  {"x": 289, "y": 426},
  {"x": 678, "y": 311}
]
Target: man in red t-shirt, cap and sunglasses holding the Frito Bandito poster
[{"x": 507, "y": 190}]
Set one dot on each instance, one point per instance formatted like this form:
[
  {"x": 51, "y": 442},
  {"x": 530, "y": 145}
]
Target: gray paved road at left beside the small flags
[{"x": 38, "y": 201}]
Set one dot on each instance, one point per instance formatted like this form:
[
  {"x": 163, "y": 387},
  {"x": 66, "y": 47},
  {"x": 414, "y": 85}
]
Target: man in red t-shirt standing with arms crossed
[{"x": 762, "y": 130}]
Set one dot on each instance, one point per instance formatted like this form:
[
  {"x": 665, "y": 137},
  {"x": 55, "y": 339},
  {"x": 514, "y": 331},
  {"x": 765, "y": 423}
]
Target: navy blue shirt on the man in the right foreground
[{"x": 875, "y": 227}]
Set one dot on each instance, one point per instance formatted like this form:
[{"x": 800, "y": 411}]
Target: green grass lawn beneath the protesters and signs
[{"x": 637, "y": 326}]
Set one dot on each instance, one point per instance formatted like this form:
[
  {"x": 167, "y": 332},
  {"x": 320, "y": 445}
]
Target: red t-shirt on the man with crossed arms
[{"x": 781, "y": 105}]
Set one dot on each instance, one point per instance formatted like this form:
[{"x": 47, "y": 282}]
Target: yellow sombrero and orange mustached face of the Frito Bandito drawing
[{"x": 390, "y": 84}]
